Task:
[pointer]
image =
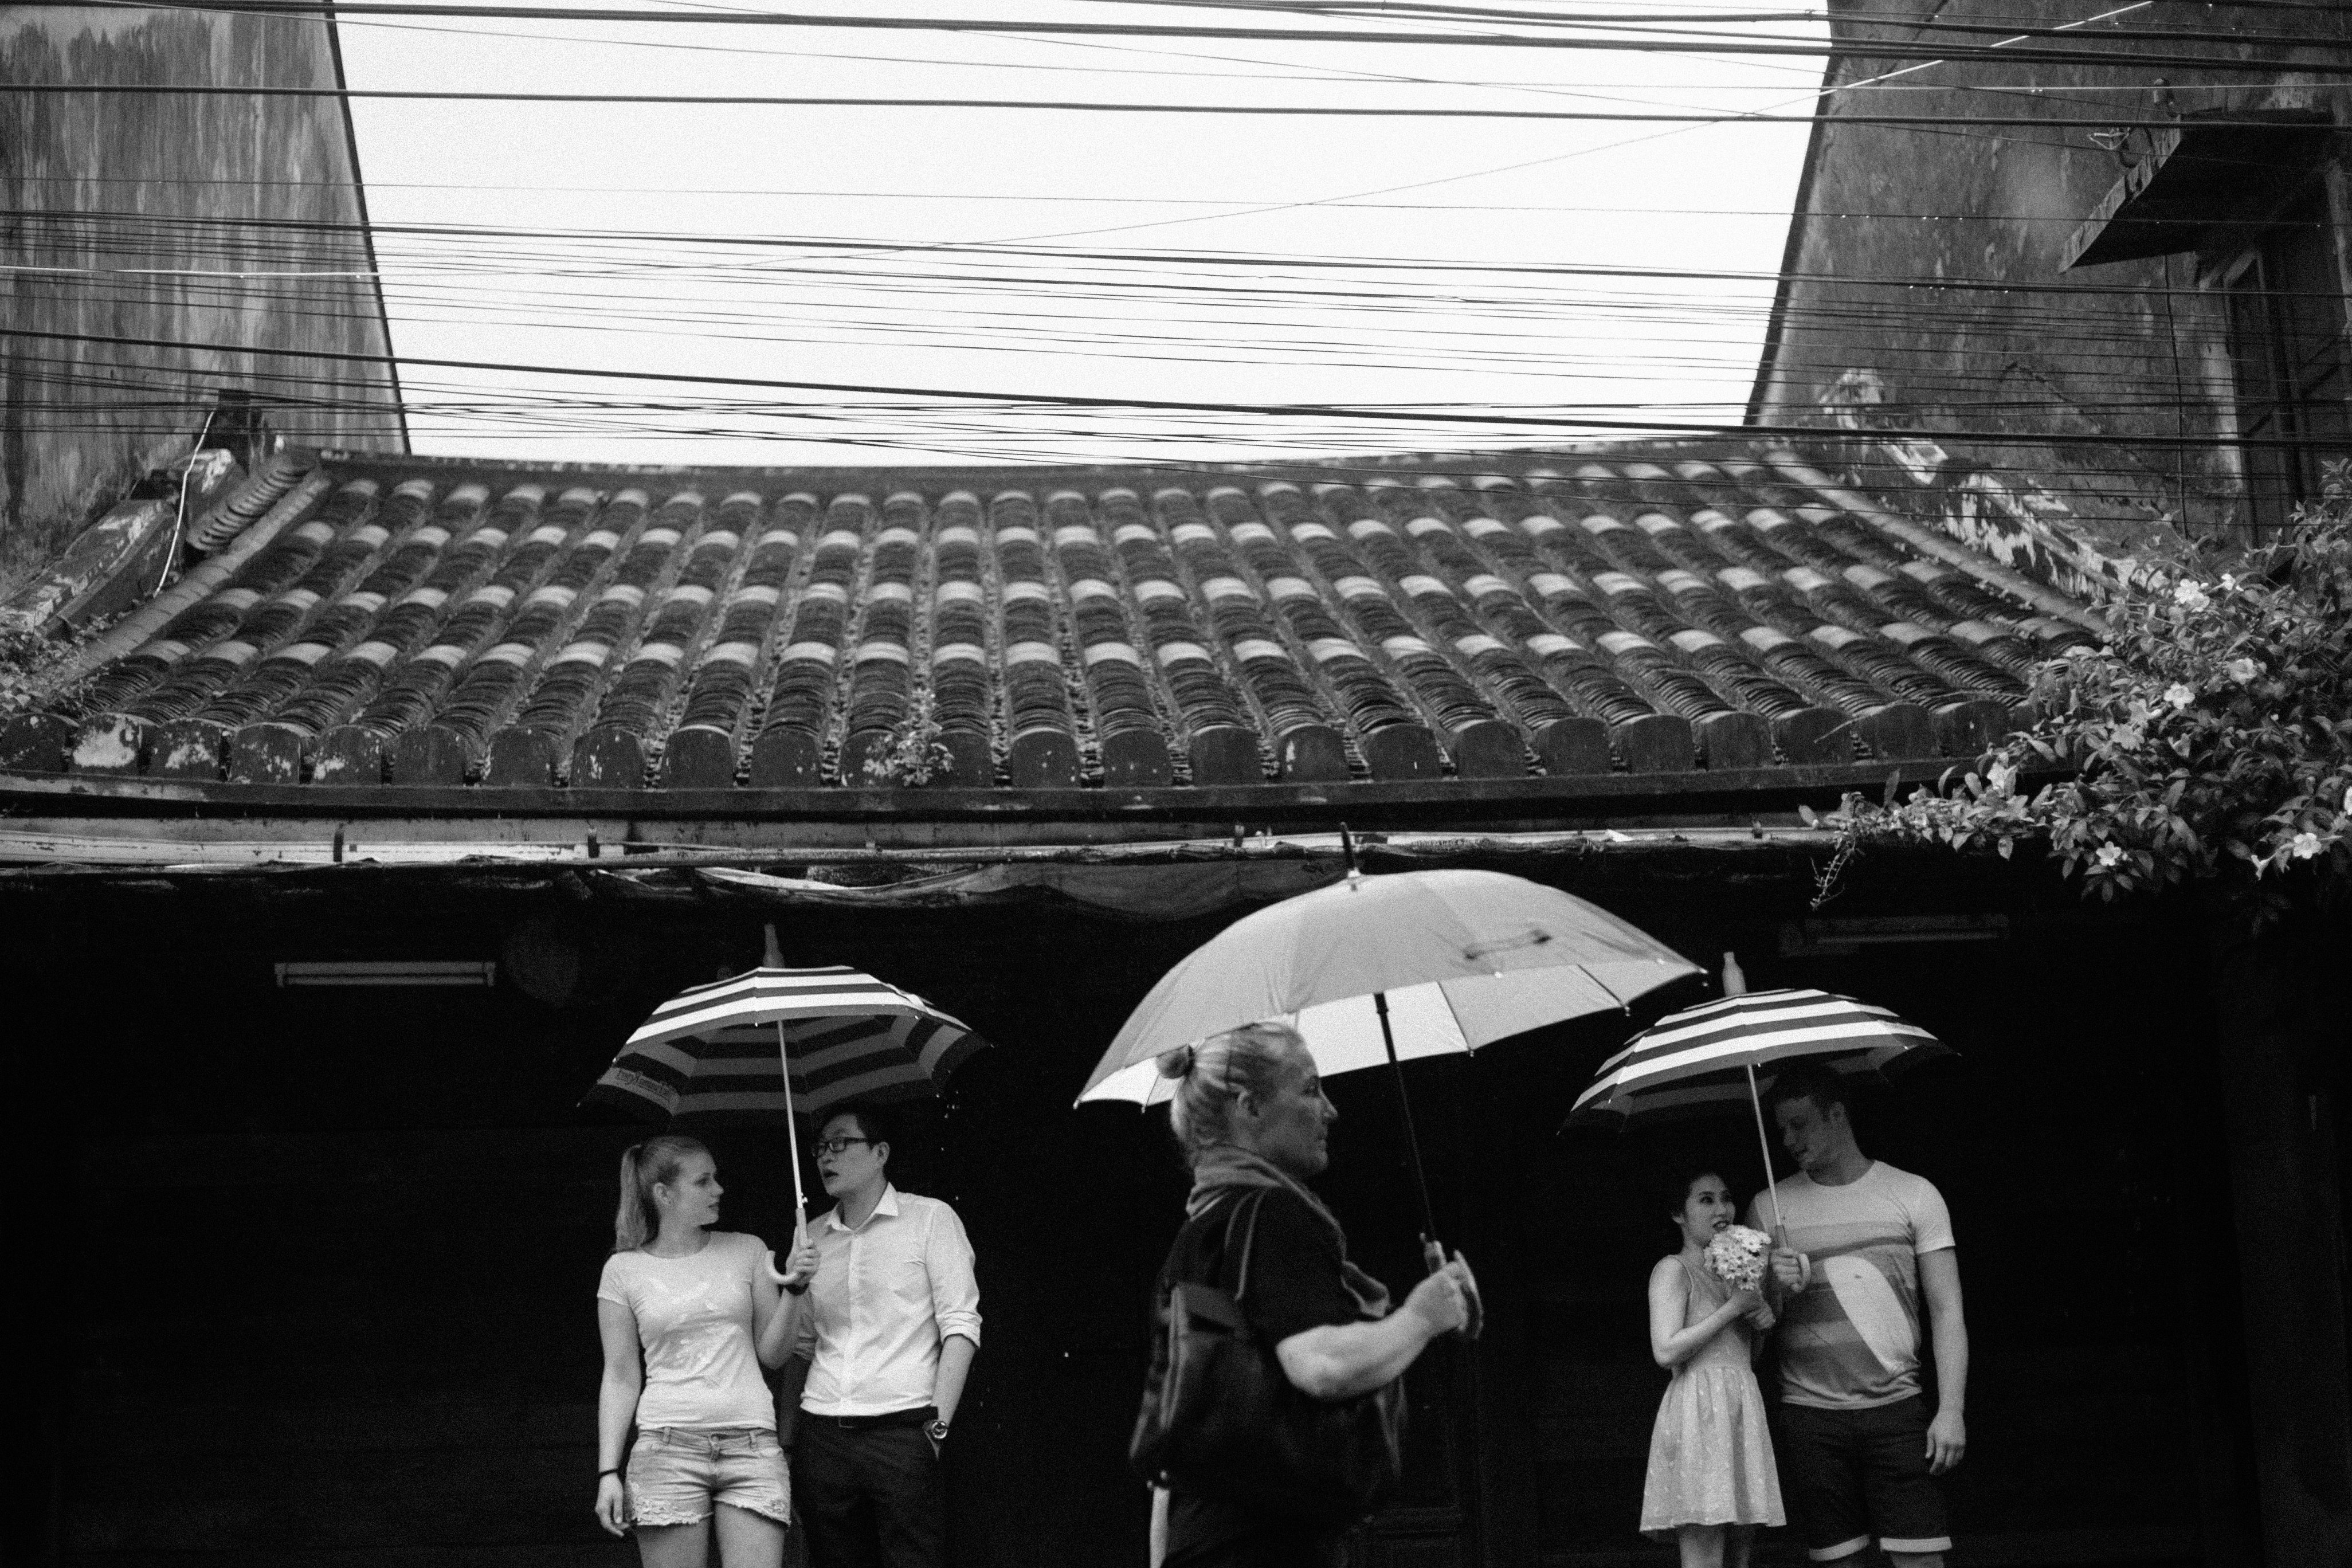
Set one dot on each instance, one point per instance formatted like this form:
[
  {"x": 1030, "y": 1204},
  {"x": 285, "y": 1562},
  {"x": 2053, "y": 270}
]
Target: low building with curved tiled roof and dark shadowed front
[{"x": 589, "y": 730}]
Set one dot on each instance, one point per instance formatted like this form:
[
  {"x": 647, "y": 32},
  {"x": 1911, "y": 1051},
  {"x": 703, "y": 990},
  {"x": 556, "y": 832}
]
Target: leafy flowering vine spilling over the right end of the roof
[{"x": 2212, "y": 737}]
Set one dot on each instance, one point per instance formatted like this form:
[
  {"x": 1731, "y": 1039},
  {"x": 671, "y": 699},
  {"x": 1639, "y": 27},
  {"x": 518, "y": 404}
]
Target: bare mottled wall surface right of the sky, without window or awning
[{"x": 1949, "y": 210}]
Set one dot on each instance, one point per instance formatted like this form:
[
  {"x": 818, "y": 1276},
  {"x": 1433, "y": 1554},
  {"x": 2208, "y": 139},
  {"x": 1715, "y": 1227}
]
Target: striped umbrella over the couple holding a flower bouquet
[{"x": 1711, "y": 1054}]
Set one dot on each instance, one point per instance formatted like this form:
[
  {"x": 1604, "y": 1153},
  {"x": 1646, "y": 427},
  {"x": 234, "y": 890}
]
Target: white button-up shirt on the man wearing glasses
[{"x": 886, "y": 1299}]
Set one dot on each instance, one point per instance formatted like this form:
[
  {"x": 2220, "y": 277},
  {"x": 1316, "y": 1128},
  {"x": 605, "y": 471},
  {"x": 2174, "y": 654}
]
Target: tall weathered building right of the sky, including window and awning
[{"x": 2123, "y": 276}]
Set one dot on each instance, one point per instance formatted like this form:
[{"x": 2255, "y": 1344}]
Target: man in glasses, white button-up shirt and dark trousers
[{"x": 895, "y": 1327}]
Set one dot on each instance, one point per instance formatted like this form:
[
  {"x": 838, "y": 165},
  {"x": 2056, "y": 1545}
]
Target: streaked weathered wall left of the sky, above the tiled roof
[{"x": 152, "y": 217}]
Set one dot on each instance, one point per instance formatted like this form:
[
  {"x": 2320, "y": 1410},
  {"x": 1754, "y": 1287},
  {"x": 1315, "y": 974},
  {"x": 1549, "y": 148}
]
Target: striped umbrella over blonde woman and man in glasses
[{"x": 773, "y": 1043}]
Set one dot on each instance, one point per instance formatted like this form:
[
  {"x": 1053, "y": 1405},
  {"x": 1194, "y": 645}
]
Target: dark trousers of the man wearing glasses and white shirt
[{"x": 869, "y": 1496}]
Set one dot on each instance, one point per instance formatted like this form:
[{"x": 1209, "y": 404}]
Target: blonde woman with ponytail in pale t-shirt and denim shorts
[{"x": 690, "y": 1318}]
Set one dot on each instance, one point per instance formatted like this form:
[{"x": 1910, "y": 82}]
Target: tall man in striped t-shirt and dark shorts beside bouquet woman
[{"x": 1866, "y": 1247}]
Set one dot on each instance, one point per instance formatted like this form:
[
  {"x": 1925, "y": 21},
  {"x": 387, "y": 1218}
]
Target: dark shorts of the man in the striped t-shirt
[{"x": 1862, "y": 1473}]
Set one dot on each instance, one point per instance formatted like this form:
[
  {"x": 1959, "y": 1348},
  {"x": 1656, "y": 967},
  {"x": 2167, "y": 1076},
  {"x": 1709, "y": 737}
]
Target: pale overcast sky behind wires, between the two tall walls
[{"x": 1224, "y": 225}]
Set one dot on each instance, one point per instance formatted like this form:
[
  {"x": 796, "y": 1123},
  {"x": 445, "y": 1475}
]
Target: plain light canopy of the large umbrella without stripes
[{"x": 1462, "y": 958}]
